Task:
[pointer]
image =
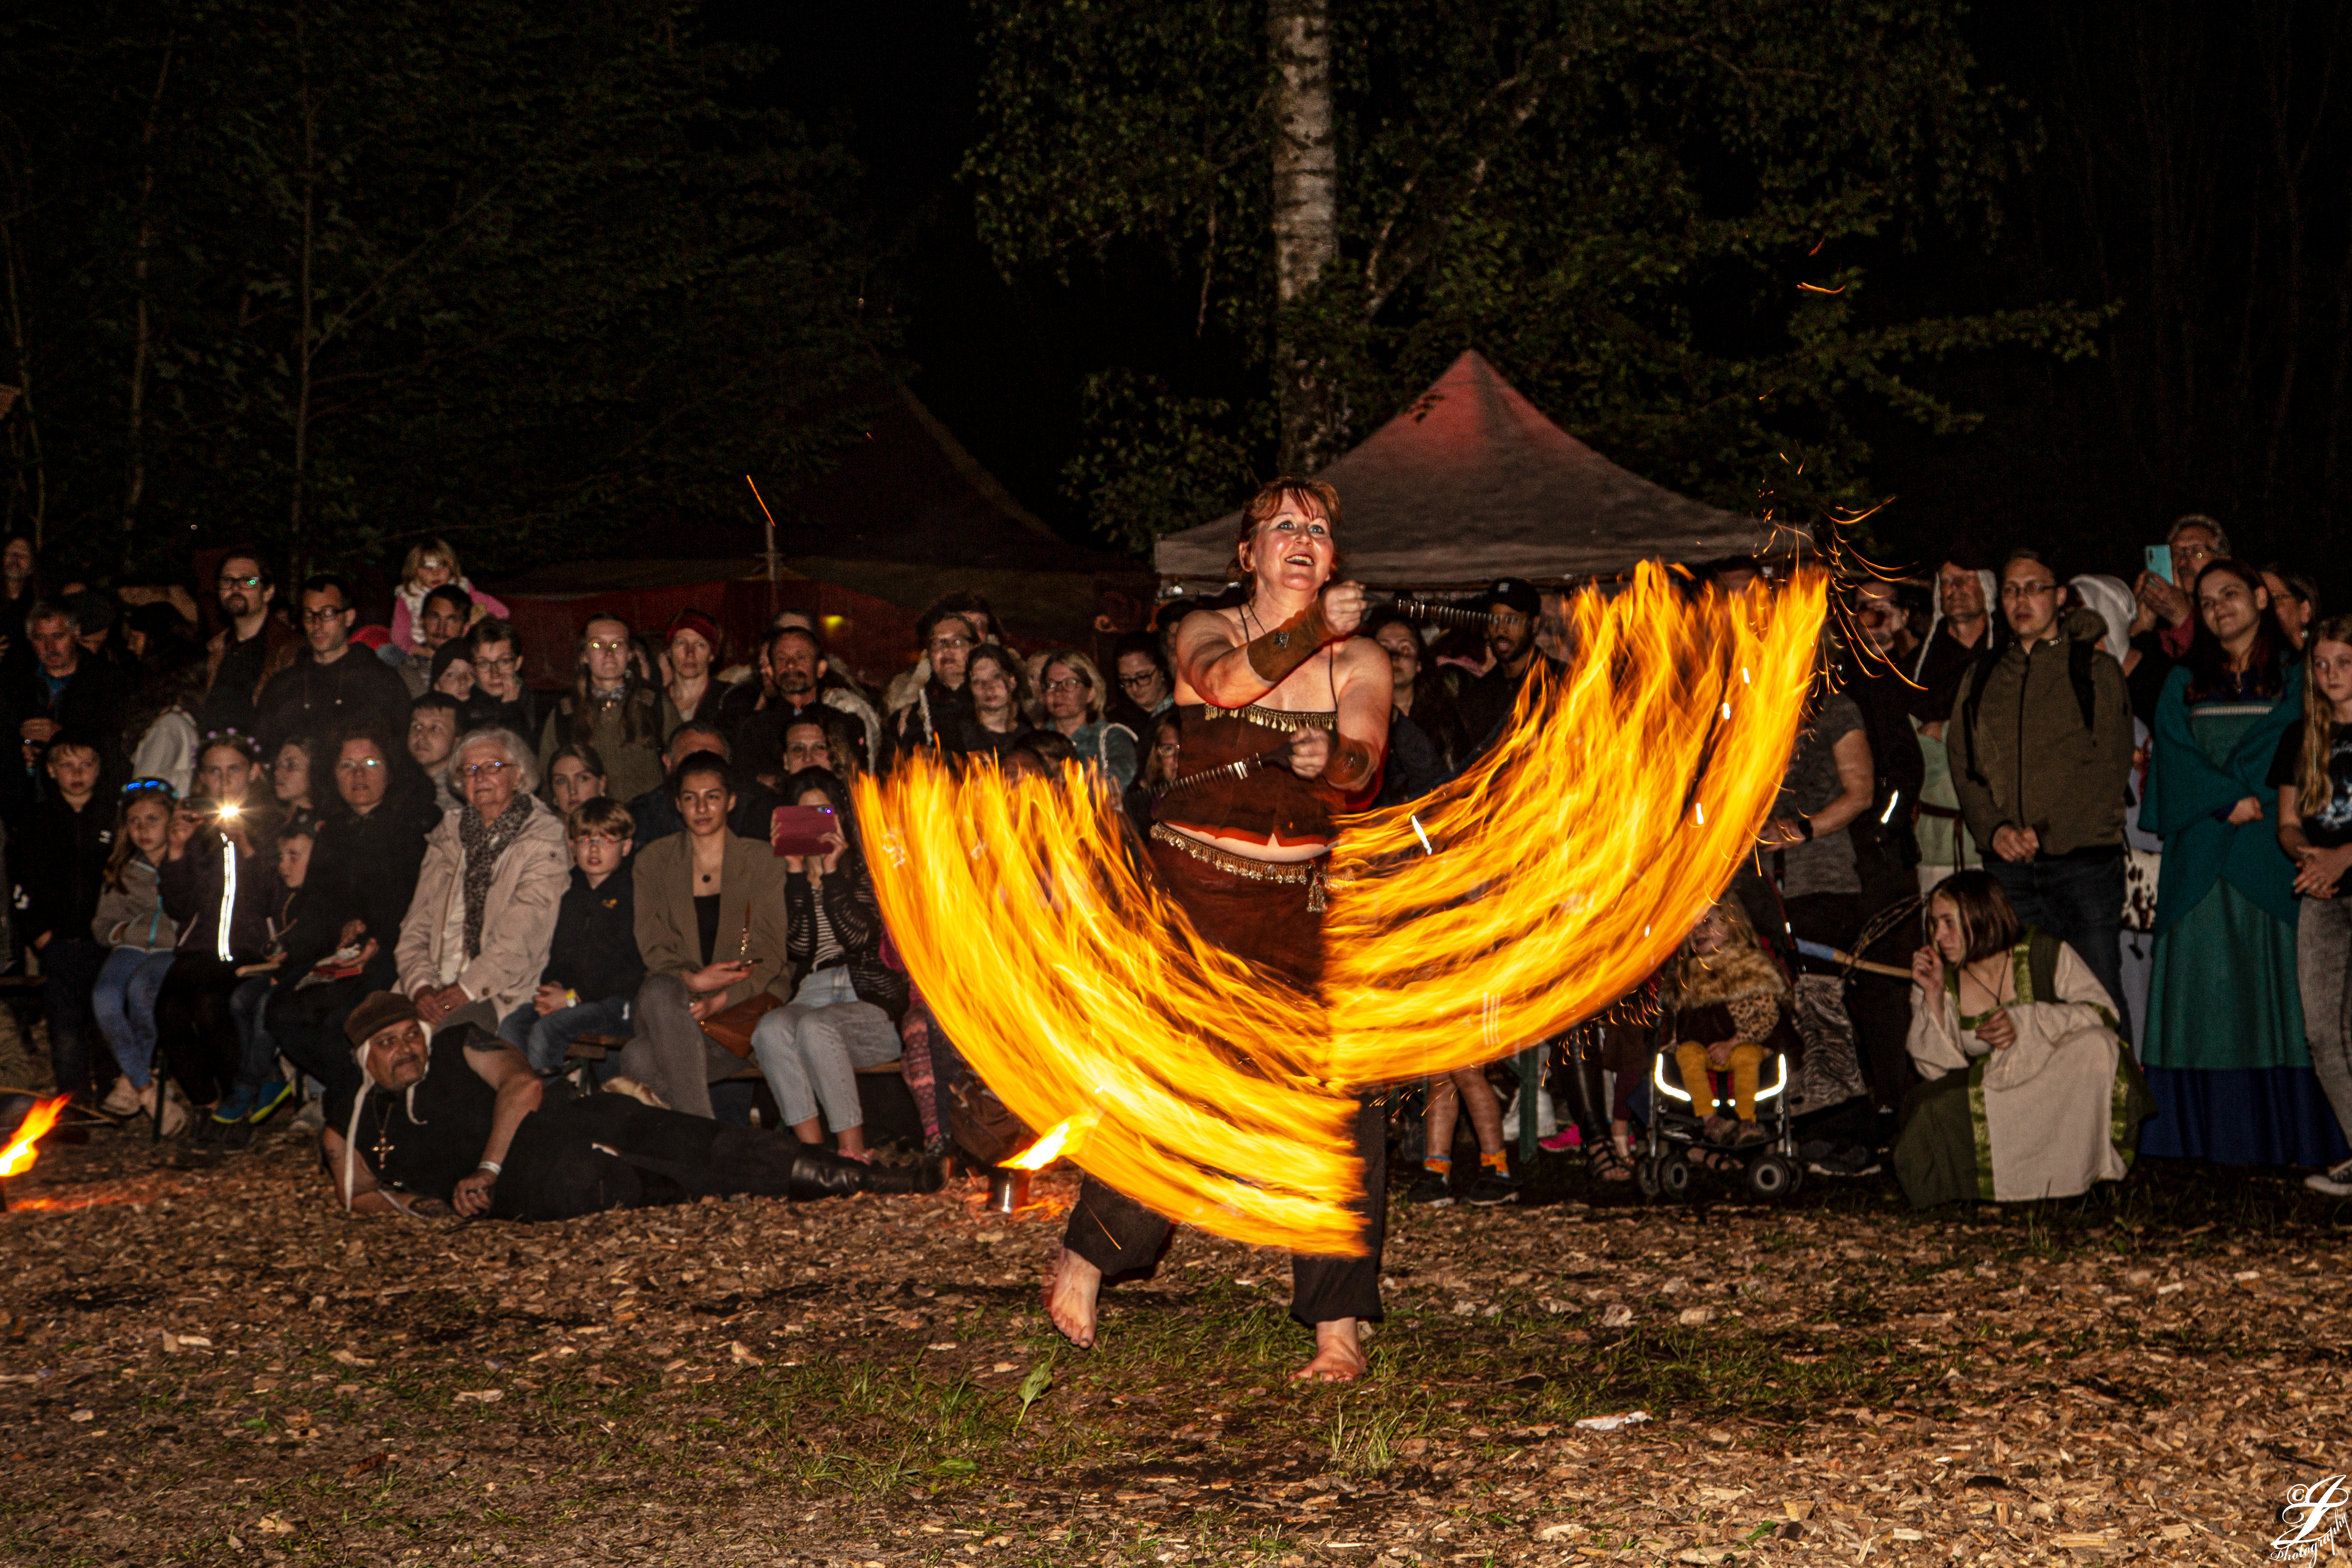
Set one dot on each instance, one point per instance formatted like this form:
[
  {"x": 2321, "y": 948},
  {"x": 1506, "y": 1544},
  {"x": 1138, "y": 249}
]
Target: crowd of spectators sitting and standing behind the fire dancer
[{"x": 2066, "y": 843}]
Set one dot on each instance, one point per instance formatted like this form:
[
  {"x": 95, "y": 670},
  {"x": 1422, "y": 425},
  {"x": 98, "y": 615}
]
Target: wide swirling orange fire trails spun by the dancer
[{"x": 1492, "y": 913}]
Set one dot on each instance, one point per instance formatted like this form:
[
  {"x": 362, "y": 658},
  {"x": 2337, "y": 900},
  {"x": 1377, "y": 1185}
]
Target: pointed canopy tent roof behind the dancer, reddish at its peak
[{"x": 1471, "y": 485}]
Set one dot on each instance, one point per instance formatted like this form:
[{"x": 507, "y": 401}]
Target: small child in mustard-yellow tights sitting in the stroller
[{"x": 1725, "y": 1010}]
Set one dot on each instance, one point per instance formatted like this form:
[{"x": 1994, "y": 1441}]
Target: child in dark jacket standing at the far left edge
[{"x": 60, "y": 859}]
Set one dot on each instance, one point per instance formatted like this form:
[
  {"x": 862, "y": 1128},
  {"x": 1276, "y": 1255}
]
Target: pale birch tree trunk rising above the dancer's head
[{"x": 1307, "y": 222}]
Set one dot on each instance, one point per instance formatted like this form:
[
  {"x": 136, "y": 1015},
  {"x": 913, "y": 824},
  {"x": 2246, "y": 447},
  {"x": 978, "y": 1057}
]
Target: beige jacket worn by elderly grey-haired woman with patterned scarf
[{"x": 519, "y": 923}]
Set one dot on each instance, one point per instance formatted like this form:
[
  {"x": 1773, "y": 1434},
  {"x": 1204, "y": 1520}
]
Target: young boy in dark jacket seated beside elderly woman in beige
[{"x": 594, "y": 967}]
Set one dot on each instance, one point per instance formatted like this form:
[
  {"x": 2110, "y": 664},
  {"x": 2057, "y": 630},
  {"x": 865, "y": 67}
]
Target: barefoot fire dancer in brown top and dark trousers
[{"x": 1283, "y": 688}]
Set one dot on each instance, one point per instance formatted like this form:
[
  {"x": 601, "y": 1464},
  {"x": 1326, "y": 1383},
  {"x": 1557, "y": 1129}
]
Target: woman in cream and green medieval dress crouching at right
[{"x": 2029, "y": 1090}]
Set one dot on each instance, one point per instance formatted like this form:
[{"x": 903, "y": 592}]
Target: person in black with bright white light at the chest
[{"x": 220, "y": 887}]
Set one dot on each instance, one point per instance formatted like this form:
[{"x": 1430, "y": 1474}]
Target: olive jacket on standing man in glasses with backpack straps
[{"x": 2024, "y": 753}]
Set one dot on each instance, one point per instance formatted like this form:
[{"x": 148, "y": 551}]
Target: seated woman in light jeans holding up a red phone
[{"x": 848, "y": 1010}]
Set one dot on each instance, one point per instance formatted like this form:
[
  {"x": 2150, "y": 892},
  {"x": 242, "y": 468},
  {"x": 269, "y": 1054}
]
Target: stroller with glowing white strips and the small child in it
[{"x": 1725, "y": 1014}]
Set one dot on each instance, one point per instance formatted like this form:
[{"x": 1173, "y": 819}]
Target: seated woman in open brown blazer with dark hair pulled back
[{"x": 714, "y": 937}]
